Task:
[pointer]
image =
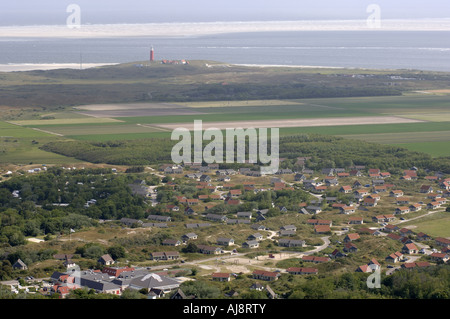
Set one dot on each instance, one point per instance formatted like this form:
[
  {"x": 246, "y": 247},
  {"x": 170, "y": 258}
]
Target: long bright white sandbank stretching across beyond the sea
[{"x": 219, "y": 27}]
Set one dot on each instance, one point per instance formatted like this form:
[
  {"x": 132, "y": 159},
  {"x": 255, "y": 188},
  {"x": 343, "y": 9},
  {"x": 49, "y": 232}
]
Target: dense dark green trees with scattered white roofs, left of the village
[{"x": 57, "y": 201}]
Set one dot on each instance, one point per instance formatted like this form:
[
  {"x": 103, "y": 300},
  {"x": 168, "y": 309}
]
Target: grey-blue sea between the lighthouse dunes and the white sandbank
[{"x": 418, "y": 50}]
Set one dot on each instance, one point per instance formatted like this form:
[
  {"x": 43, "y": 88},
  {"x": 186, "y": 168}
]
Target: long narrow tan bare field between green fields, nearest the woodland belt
[{"x": 367, "y": 120}]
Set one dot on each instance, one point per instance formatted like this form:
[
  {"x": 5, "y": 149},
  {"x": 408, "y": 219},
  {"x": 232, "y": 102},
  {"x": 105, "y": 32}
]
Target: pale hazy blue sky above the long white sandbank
[{"x": 49, "y": 12}]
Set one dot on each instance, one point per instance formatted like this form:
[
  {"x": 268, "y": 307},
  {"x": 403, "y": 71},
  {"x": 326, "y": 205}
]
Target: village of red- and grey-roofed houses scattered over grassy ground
[{"x": 347, "y": 211}]
